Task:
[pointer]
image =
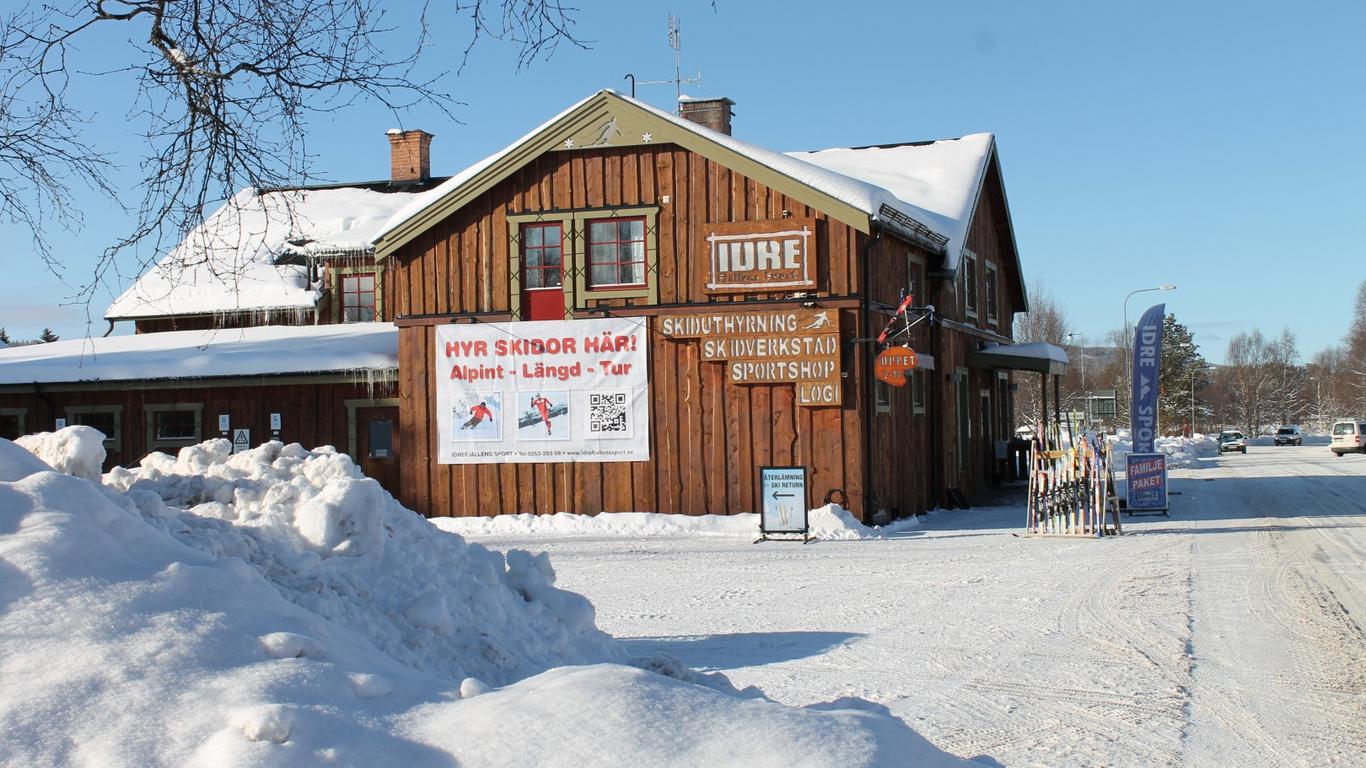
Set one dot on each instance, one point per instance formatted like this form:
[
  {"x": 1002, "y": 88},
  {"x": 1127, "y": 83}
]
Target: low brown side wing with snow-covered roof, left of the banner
[{"x": 312, "y": 385}]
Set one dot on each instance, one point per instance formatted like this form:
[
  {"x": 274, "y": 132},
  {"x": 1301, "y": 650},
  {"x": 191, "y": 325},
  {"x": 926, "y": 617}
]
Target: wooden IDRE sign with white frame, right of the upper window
[{"x": 777, "y": 255}]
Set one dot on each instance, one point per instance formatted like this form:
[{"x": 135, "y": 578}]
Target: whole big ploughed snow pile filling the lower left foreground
[{"x": 278, "y": 609}]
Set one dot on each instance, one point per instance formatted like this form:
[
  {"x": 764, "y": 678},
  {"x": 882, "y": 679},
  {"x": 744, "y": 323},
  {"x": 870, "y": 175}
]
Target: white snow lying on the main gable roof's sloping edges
[{"x": 824, "y": 174}]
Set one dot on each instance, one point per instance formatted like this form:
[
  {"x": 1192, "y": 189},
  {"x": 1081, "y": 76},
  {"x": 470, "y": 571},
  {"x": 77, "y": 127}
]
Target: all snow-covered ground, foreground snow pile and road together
[{"x": 278, "y": 609}]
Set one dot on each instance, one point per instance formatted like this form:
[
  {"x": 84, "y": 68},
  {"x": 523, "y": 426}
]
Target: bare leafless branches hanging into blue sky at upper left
[{"x": 225, "y": 91}]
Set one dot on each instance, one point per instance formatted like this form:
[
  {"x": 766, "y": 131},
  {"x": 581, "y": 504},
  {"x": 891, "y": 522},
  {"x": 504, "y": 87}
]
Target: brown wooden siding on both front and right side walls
[{"x": 708, "y": 435}]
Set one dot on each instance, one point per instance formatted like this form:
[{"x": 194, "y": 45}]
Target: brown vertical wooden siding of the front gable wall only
[{"x": 708, "y": 435}]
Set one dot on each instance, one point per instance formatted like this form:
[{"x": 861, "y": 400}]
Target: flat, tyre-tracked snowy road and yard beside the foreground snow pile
[{"x": 1231, "y": 635}]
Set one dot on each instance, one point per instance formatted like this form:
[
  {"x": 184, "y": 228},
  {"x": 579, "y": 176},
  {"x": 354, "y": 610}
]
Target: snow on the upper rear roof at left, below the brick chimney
[{"x": 229, "y": 263}]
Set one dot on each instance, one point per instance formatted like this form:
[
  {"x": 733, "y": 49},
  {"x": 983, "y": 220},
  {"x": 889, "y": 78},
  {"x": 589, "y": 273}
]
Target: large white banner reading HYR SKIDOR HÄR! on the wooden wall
[{"x": 543, "y": 392}]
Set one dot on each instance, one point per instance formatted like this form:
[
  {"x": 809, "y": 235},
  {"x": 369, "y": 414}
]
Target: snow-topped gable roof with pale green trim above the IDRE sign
[{"x": 820, "y": 181}]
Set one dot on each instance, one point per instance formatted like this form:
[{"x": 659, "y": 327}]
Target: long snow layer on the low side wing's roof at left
[{"x": 195, "y": 355}]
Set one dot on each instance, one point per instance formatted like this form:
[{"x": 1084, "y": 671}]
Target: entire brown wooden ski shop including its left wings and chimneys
[{"x": 760, "y": 281}]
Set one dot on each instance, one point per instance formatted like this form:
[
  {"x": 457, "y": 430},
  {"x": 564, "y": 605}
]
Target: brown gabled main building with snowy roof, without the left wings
[{"x": 928, "y": 219}]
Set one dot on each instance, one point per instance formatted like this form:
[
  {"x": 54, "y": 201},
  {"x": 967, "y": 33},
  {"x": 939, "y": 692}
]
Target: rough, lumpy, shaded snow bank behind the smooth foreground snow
[{"x": 333, "y": 542}]
